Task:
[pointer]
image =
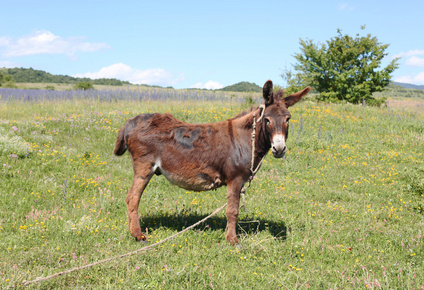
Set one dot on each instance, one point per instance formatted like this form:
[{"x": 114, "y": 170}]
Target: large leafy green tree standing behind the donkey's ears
[{"x": 342, "y": 69}]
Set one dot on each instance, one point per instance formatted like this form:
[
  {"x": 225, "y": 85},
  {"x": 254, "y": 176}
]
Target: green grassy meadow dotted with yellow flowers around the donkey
[{"x": 344, "y": 209}]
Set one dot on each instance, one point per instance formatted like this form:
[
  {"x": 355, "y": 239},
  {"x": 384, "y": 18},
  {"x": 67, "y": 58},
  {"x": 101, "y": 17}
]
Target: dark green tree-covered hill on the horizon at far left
[{"x": 30, "y": 75}]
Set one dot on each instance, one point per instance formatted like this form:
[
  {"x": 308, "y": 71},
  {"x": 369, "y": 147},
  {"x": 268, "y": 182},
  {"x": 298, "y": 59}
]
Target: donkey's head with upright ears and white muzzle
[{"x": 276, "y": 117}]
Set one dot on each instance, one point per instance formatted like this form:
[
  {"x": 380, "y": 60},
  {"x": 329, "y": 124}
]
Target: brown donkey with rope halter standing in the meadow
[{"x": 202, "y": 157}]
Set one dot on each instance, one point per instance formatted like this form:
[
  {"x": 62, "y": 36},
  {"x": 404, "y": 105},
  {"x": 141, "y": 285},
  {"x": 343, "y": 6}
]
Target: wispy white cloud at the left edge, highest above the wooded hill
[{"x": 45, "y": 42}]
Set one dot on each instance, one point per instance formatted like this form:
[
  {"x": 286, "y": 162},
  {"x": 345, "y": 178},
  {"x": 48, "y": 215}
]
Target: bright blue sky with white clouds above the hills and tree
[{"x": 205, "y": 44}]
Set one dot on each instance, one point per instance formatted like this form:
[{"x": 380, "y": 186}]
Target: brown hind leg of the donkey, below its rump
[{"x": 142, "y": 175}]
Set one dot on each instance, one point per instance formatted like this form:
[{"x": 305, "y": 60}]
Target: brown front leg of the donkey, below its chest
[{"x": 233, "y": 200}]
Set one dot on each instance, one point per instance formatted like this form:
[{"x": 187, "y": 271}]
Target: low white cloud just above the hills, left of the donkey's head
[{"x": 154, "y": 76}]
